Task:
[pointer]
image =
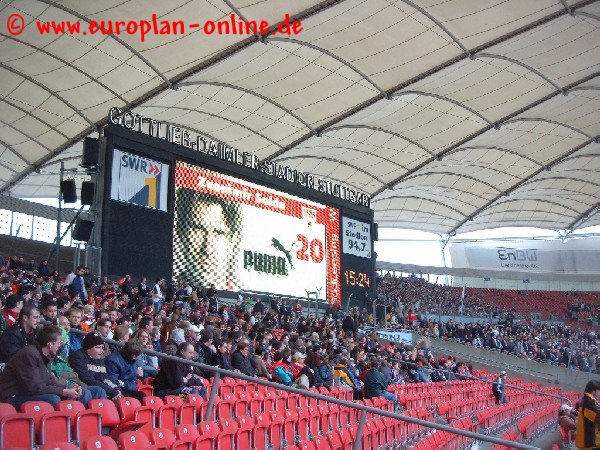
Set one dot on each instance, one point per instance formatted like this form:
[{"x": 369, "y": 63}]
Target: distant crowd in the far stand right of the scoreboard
[{"x": 414, "y": 303}]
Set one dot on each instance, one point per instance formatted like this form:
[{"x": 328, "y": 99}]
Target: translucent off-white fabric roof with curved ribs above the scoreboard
[{"x": 454, "y": 115}]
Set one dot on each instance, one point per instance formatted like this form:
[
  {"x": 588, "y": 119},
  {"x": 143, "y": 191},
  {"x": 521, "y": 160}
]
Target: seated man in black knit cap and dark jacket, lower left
[{"x": 88, "y": 363}]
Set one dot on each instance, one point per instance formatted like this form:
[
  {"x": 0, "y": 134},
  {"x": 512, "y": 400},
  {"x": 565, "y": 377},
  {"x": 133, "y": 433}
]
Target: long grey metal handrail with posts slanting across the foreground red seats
[{"x": 365, "y": 409}]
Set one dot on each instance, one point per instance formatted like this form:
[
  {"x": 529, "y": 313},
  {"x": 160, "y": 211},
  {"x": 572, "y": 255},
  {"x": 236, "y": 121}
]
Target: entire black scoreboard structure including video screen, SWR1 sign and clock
[{"x": 170, "y": 211}]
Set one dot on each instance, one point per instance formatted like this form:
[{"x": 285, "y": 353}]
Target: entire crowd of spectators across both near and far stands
[{"x": 268, "y": 338}]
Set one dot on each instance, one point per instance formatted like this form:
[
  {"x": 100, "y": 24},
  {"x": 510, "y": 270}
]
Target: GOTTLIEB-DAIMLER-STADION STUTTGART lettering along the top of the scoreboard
[{"x": 217, "y": 149}]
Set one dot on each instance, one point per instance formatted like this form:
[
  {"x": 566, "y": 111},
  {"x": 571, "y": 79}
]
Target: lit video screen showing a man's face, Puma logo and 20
[{"x": 241, "y": 235}]
